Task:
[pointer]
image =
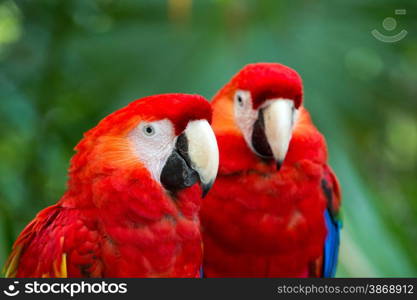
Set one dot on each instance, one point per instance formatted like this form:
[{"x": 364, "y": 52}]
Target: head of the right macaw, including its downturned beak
[{"x": 261, "y": 103}]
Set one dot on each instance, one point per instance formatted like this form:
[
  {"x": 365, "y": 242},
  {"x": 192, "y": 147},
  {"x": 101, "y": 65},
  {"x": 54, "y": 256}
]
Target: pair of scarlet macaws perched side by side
[{"x": 134, "y": 205}]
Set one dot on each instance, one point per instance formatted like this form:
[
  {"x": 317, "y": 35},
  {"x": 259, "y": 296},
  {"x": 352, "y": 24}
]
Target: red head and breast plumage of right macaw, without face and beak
[{"x": 258, "y": 222}]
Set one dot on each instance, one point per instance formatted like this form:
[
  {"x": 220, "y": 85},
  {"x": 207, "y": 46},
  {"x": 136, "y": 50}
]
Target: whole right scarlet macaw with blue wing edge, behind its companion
[{"x": 273, "y": 210}]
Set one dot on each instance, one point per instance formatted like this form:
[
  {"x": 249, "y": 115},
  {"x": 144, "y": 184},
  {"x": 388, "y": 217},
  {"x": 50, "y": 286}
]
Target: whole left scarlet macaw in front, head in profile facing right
[{"x": 133, "y": 198}]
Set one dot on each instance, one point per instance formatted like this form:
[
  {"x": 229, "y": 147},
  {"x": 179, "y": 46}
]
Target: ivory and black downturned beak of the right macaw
[{"x": 273, "y": 130}]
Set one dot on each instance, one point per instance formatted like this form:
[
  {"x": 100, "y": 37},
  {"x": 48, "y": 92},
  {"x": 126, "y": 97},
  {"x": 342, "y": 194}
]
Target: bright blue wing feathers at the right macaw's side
[{"x": 331, "y": 245}]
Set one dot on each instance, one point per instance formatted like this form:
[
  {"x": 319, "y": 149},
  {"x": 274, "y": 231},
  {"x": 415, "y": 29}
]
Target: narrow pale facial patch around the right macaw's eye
[{"x": 245, "y": 115}]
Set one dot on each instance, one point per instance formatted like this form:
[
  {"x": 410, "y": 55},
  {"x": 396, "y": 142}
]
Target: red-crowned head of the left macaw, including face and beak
[{"x": 163, "y": 140}]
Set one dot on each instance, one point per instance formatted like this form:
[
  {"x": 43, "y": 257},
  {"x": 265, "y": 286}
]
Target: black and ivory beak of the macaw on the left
[{"x": 195, "y": 158}]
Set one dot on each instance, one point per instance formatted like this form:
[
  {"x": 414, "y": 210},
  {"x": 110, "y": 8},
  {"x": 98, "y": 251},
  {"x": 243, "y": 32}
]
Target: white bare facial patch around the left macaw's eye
[{"x": 153, "y": 143}]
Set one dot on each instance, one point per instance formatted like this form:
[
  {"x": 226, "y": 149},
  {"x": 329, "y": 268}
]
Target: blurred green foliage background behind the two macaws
[{"x": 64, "y": 65}]
